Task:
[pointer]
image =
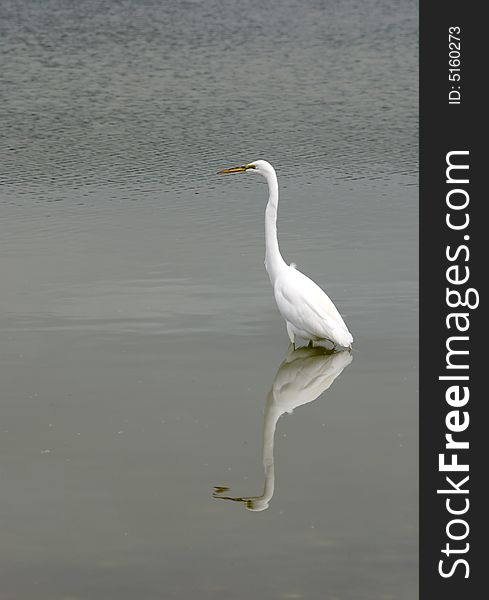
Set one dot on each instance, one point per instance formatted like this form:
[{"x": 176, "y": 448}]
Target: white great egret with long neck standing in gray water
[{"x": 308, "y": 311}]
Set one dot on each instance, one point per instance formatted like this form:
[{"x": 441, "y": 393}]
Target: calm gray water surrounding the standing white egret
[{"x": 142, "y": 356}]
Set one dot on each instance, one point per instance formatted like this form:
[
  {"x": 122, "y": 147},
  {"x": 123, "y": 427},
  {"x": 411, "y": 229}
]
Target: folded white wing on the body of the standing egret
[{"x": 303, "y": 303}]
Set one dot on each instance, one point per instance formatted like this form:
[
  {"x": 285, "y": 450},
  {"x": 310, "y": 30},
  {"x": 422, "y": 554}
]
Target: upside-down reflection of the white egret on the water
[{"x": 301, "y": 378}]
